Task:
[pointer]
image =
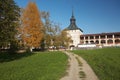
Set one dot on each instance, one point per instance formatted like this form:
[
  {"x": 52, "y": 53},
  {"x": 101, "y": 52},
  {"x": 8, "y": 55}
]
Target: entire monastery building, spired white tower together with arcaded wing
[{"x": 100, "y": 39}]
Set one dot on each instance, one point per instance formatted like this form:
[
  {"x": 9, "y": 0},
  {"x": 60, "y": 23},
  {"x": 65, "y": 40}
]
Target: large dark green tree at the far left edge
[{"x": 9, "y": 14}]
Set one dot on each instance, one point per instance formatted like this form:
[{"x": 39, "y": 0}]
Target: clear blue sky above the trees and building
[{"x": 92, "y": 16}]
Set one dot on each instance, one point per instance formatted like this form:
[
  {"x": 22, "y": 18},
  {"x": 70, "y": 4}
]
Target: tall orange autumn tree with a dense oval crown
[{"x": 32, "y": 27}]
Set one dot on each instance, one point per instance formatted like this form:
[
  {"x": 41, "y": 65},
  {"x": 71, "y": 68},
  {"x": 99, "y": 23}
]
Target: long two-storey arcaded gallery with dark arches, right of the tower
[{"x": 102, "y": 39}]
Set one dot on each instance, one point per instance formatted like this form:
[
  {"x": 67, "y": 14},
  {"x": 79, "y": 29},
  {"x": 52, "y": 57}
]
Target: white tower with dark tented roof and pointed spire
[{"x": 74, "y": 32}]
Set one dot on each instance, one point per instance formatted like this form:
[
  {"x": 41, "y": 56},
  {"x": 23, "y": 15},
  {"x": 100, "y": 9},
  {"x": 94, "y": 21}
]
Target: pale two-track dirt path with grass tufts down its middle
[{"x": 78, "y": 69}]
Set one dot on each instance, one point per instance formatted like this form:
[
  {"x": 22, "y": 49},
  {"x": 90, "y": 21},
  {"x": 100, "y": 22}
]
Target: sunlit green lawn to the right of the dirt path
[{"x": 105, "y": 62}]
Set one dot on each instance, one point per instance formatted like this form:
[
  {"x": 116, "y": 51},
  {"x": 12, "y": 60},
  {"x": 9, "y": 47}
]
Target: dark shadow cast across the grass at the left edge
[{"x": 7, "y": 57}]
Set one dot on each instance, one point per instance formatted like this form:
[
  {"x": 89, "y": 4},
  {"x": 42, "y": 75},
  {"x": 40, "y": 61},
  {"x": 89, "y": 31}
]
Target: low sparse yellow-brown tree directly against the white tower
[{"x": 59, "y": 37}]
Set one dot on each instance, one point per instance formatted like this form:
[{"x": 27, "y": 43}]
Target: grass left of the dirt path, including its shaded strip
[{"x": 37, "y": 66}]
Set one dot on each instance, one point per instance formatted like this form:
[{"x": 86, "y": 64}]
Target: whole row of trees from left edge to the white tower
[{"x": 28, "y": 28}]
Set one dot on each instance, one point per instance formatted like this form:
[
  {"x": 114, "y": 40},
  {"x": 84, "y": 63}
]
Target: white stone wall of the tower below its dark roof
[{"x": 75, "y": 36}]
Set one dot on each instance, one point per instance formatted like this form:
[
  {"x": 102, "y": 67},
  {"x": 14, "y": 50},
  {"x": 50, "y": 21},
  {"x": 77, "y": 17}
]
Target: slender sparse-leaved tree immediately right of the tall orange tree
[{"x": 48, "y": 30}]
